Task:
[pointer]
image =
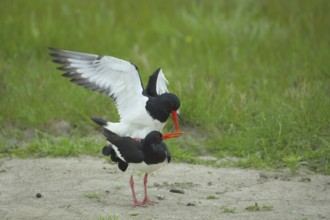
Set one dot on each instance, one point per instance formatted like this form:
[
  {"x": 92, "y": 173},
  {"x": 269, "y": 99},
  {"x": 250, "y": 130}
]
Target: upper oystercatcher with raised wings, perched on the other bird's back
[{"x": 141, "y": 110}]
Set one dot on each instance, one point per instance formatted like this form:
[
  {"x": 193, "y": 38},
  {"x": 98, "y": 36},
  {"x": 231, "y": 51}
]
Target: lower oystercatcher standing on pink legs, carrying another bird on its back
[{"x": 146, "y": 156}]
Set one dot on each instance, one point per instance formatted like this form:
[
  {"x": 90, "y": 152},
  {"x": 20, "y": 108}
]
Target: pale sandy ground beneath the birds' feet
[{"x": 92, "y": 188}]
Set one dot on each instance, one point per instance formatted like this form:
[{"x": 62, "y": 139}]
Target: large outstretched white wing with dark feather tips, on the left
[{"x": 118, "y": 78}]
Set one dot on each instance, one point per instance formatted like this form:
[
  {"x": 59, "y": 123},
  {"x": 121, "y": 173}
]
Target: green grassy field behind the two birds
[{"x": 253, "y": 76}]
